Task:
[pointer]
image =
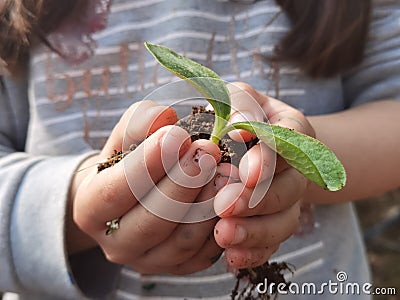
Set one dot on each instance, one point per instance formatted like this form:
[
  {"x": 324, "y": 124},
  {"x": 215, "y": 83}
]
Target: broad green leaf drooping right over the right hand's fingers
[{"x": 308, "y": 155}]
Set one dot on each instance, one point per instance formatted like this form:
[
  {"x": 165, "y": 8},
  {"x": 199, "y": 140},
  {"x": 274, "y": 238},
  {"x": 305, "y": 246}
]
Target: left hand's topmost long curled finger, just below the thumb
[{"x": 108, "y": 195}]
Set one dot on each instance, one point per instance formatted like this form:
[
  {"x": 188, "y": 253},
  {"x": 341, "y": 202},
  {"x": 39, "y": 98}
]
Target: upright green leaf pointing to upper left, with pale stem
[{"x": 206, "y": 81}]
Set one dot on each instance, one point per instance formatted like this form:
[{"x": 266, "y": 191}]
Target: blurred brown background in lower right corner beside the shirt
[{"x": 380, "y": 221}]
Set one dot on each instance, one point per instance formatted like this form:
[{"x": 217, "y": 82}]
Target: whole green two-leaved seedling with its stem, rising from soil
[{"x": 309, "y": 156}]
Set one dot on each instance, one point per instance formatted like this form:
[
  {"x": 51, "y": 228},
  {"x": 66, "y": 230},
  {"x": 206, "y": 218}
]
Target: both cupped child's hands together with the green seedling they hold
[{"x": 165, "y": 163}]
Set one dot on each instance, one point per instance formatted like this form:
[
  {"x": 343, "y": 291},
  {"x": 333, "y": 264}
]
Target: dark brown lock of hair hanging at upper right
[{"x": 327, "y": 36}]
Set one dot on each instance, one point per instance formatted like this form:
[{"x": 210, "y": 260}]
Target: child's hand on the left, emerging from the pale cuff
[{"x": 147, "y": 241}]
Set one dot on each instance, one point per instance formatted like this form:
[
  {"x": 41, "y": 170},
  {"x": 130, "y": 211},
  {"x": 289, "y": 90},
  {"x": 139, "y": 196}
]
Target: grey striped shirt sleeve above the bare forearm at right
[{"x": 378, "y": 77}]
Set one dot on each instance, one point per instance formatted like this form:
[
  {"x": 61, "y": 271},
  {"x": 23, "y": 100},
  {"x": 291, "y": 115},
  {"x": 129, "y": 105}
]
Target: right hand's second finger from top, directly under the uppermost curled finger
[{"x": 286, "y": 188}]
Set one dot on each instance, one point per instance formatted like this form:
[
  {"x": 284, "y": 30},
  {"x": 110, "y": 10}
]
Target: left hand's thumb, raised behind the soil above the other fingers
[{"x": 138, "y": 122}]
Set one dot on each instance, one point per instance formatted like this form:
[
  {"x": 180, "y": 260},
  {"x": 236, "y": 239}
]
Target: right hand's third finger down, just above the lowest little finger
[{"x": 257, "y": 231}]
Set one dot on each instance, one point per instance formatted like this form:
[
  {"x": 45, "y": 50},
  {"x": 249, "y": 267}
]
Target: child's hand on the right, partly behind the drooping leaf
[{"x": 251, "y": 235}]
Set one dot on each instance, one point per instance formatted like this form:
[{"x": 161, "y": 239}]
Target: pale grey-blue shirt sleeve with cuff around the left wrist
[{"x": 34, "y": 192}]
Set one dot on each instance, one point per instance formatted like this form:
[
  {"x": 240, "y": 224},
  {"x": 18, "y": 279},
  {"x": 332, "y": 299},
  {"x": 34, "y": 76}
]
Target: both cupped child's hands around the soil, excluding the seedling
[{"x": 152, "y": 244}]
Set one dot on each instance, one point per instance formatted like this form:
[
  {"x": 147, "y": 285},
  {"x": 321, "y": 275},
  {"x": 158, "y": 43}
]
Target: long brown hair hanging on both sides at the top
[{"x": 327, "y": 37}]
